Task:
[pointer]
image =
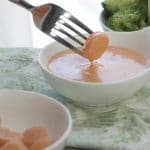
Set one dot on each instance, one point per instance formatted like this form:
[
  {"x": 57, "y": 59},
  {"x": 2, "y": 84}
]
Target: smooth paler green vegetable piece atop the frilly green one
[{"x": 115, "y": 5}]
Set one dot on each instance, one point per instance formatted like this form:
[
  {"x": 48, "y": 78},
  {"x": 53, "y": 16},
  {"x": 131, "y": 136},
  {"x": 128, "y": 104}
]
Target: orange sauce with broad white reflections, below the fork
[{"x": 115, "y": 64}]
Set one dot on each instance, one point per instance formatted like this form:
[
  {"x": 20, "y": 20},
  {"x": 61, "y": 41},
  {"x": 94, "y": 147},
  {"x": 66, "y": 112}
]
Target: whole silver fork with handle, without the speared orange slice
[{"x": 57, "y": 23}]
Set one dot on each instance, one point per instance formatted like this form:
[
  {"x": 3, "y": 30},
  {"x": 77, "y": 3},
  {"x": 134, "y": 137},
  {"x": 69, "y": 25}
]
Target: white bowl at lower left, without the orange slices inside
[{"x": 20, "y": 110}]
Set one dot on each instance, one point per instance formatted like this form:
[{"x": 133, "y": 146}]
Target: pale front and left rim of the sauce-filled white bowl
[{"x": 138, "y": 75}]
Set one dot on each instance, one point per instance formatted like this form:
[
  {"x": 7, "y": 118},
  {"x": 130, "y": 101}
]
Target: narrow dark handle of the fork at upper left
[{"x": 23, "y": 3}]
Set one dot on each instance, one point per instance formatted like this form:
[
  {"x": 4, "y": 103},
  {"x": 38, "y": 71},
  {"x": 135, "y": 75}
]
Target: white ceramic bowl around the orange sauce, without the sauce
[{"x": 94, "y": 94}]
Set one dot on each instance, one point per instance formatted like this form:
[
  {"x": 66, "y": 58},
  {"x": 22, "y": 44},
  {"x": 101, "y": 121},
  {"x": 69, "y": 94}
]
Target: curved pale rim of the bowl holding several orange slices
[{"x": 54, "y": 101}]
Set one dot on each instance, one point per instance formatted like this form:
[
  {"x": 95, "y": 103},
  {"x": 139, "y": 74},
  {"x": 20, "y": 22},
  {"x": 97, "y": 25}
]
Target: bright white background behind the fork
[{"x": 17, "y": 28}]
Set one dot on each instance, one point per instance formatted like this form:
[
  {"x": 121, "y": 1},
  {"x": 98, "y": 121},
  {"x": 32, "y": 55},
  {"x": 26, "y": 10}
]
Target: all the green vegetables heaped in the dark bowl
[{"x": 126, "y": 15}]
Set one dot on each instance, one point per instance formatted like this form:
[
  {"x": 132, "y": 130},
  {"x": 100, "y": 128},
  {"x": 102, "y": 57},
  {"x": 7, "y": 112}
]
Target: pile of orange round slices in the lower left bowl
[{"x": 35, "y": 138}]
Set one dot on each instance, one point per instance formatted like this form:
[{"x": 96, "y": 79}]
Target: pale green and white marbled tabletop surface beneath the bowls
[{"x": 122, "y": 126}]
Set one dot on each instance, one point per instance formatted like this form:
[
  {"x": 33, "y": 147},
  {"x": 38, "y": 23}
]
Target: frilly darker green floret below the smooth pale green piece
[{"x": 129, "y": 19}]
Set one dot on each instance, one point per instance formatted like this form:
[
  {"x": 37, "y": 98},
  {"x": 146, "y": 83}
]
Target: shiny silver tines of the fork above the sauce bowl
[{"x": 68, "y": 26}]
